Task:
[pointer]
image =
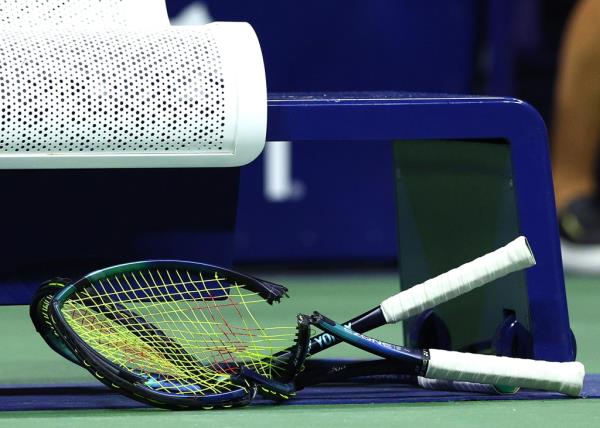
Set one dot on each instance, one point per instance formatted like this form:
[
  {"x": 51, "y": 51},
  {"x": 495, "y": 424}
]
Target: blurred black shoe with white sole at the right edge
[{"x": 579, "y": 225}]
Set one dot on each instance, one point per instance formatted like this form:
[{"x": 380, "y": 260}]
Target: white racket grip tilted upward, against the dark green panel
[{"x": 511, "y": 258}]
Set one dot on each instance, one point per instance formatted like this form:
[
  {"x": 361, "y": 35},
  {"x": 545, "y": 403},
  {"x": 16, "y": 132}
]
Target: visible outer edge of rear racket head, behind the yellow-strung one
[{"x": 39, "y": 312}]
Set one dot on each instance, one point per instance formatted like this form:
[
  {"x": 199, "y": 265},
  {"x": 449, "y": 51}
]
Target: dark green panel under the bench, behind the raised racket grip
[{"x": 455, "y": 203}]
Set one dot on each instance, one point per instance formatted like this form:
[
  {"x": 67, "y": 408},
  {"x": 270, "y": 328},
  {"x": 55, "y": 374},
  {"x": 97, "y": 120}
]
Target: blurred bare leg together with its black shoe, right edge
[{"x": 576, "y": 140}]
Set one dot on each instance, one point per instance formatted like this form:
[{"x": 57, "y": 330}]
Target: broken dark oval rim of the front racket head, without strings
[{"x": 139, "y": 387}]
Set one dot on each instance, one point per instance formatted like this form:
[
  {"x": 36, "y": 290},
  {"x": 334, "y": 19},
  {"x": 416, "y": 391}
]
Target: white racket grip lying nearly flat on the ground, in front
[{"x": 566, "y": 378}]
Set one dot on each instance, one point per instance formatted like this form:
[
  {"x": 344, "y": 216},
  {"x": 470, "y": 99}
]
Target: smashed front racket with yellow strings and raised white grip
[{"x": 185, "y": 335}]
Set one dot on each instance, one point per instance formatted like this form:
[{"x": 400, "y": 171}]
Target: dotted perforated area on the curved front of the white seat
[{"x": 113, "y": 91}]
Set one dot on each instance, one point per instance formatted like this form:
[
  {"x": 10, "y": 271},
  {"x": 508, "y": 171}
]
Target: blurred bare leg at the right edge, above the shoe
[{"x": 576, "y": 124}]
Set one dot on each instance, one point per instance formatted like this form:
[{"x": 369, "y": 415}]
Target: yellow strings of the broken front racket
[{"x": 180, "y": 328}]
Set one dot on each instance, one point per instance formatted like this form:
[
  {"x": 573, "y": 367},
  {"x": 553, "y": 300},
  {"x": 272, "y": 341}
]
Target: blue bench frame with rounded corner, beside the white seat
[{"x": 387, "y": 117}]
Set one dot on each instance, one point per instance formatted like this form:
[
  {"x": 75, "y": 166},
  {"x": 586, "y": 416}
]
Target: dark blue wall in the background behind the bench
[{"x": 342, "y": 207}]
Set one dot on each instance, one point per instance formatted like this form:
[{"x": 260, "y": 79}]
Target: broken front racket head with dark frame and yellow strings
[{"x": 173, "y": 334}]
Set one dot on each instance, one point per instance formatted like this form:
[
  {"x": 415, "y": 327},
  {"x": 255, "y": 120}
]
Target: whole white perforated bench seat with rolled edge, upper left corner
[{"x": 126, "y": 90}]
